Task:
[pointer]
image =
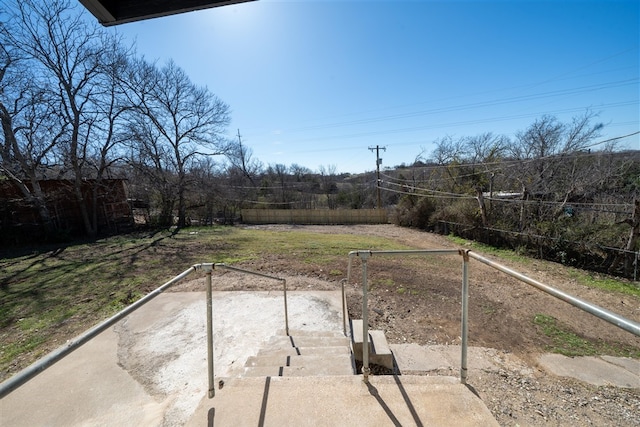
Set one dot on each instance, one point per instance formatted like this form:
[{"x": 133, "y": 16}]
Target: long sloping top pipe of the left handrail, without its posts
[{"x": 34, "y": 369}]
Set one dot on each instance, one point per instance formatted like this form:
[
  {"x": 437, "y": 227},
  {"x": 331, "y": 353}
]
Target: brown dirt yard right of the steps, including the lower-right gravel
[{"x": 417, "y": 300}]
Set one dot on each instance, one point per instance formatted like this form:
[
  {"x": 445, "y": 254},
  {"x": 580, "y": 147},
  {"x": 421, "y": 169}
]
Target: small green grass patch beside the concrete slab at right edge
[{"x": 568, "y": 343}]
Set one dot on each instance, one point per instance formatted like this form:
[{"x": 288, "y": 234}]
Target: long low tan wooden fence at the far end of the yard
[{"x": 314, "y": 216}]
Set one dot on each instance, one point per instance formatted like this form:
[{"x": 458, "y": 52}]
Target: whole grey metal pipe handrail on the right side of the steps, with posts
[{"x": 364, "y": 255}]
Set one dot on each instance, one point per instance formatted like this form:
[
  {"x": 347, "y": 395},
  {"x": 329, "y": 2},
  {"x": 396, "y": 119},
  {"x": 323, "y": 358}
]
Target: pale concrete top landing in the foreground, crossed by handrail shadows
[{"x": 343, "y": 401}]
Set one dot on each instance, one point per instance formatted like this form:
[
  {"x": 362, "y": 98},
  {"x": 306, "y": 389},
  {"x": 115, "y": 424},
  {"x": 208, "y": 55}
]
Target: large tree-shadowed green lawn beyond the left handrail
[{"x": 81, "y": 284}]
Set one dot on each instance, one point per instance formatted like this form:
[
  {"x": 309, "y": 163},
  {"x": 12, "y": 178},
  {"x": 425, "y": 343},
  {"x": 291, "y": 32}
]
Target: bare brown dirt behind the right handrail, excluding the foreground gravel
[{"x": 417, "y": 299}]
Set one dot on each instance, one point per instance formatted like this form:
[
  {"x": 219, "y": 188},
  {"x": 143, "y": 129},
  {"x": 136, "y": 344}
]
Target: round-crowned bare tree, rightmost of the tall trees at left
[{"x": 176, "y": 122}]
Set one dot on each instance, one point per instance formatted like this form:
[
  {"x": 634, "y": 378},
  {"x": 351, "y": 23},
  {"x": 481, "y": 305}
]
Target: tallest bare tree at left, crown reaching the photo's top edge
[{"x": 73, "y": 66}]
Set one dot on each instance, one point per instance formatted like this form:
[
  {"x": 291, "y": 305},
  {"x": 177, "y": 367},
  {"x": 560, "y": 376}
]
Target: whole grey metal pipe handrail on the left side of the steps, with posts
[{"x": 37, "y": 367}]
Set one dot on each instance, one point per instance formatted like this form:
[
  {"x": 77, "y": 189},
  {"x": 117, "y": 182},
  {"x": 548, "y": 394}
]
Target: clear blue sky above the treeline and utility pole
[{"x": 317, "y": 83}]
